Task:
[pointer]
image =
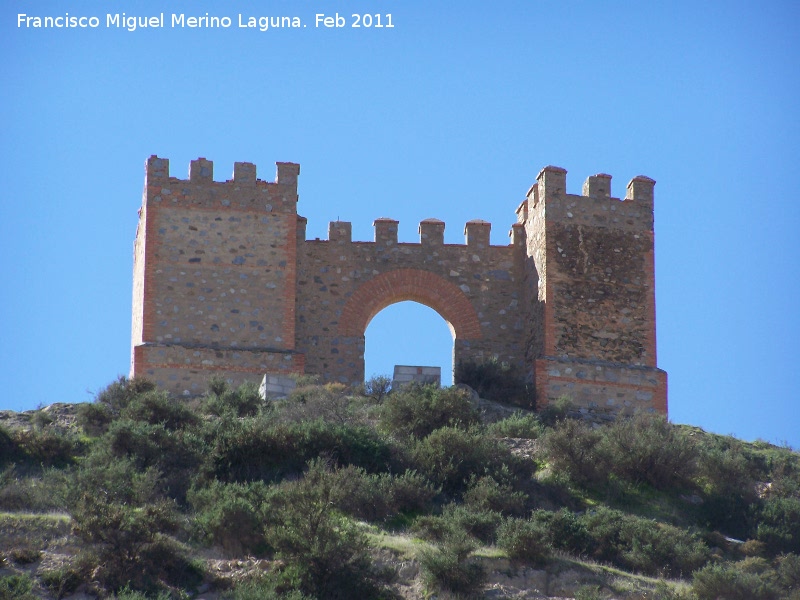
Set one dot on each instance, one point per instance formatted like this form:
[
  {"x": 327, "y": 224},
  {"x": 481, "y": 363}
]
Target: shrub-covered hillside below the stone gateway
[{"x": 421, "y": 492}]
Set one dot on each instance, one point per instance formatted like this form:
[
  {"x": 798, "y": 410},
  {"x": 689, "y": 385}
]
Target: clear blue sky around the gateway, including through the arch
[{"x": 449, "y": 114}]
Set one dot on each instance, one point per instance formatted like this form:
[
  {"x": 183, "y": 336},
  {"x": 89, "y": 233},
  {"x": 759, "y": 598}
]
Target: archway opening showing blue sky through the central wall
[{"x": 408, "y": 333}]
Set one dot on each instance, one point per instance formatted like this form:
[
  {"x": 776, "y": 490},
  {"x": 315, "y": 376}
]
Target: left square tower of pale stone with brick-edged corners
[{"x": 214, "y": 276}]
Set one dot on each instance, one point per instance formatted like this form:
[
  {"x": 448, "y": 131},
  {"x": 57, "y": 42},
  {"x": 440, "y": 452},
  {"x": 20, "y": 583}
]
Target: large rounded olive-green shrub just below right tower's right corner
[{"x": 647, "y": 448}]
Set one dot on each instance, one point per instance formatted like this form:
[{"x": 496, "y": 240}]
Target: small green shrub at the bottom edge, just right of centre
[{"x": 448, "y": 567}]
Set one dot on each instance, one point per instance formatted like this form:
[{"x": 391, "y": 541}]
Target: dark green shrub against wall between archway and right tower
[{"x": 495, "y": 380}]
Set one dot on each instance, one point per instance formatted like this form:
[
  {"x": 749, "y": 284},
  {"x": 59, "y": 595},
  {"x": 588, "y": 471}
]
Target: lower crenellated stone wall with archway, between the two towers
[{"x": 343, "y": 284}]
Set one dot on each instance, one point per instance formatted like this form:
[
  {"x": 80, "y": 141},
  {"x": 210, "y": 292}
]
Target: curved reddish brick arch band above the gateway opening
[{"x": 399, "y": 285}]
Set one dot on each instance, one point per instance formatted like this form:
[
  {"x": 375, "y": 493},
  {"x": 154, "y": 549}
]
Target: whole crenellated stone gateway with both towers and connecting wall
[{"x": 225, "y": 283}]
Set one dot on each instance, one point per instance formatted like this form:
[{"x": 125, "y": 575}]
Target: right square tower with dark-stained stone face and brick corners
[{"x": 595, "y": 336}]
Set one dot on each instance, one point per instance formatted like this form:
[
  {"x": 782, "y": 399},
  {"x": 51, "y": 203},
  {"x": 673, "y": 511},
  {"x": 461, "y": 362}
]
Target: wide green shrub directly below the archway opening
[{"x": 417, "y": 410}]
